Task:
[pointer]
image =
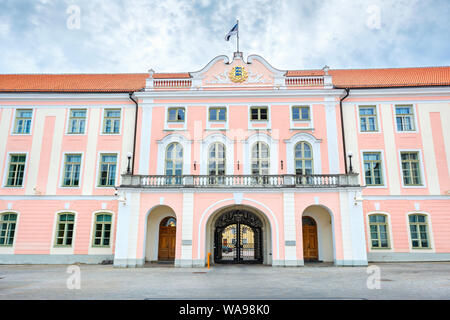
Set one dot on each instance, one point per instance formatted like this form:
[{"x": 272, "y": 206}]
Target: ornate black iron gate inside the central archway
[{"x": 238, "y": 238}]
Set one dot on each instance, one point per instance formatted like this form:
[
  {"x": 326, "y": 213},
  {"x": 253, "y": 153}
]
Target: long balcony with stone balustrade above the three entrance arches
[{"x": 241, "y": 181}]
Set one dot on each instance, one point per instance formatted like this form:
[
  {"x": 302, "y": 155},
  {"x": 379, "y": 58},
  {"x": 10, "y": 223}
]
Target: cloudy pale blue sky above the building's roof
[{"x": 109, "y": 36}]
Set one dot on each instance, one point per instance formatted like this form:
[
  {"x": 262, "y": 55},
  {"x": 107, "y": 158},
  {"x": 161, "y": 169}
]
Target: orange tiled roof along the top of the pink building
[{"x": 128, "y": 82}]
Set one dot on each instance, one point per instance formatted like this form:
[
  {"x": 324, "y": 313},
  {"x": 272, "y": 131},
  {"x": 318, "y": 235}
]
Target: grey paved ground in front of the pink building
[{"x": 315, "y": 281}]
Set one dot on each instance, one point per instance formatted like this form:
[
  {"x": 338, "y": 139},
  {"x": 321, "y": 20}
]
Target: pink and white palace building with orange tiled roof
[{"x": 238, "y": 162}]
